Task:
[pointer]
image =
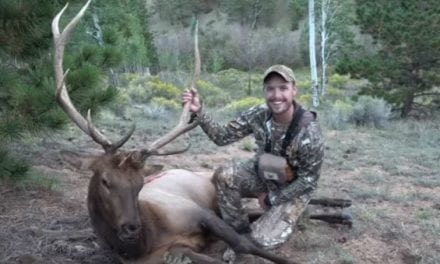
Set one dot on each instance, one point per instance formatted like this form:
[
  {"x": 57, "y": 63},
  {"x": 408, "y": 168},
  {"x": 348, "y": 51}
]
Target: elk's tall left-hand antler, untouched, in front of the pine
[{"x": 62, "y": 96}]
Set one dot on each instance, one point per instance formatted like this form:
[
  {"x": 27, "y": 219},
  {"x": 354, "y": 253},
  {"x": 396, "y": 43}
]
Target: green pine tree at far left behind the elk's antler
[{"x": 27, "y": 88}]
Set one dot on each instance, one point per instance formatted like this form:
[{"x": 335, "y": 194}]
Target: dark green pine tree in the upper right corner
[{"x": 405, "y": 70}]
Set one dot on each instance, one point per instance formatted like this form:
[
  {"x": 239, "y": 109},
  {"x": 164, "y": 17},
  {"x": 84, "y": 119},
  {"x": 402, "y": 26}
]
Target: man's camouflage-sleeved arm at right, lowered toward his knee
[{"x": 310, "y": 158}]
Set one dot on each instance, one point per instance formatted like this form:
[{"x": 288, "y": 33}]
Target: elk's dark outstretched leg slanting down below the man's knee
[{"x": 239, "y": 243}]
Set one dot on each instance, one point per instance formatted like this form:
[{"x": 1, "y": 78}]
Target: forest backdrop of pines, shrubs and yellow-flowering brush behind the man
[{"x": 378, "y": 61}]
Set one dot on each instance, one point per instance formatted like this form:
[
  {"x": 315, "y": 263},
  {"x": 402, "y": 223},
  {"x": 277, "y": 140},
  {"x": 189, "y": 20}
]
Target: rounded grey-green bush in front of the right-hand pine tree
[{"x": 371, "y": 111}]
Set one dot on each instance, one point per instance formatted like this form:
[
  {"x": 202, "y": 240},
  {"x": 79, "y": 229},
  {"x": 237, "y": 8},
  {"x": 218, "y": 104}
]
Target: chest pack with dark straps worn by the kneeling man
[{"x": 276, "y": 169}]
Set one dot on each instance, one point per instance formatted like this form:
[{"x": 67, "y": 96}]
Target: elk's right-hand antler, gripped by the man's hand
[{"x": 184, "y": 124}]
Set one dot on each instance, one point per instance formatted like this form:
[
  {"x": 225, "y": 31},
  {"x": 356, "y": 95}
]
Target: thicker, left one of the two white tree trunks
[{"x": 312, "y": 54}]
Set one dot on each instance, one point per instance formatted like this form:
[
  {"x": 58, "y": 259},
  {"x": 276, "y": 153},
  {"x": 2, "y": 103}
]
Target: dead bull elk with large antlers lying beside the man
[{"x": 141, "y": 220}]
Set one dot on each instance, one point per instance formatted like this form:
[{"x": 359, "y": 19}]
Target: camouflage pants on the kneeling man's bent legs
[{"x": 242, "y": 181}]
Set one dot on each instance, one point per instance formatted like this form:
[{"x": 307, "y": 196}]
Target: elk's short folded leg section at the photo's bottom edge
[{"x": 192, "y": 257}]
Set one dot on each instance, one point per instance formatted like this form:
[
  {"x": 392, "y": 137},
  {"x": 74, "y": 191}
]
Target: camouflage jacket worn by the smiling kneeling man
[{"x": 304, "y": 153}]
